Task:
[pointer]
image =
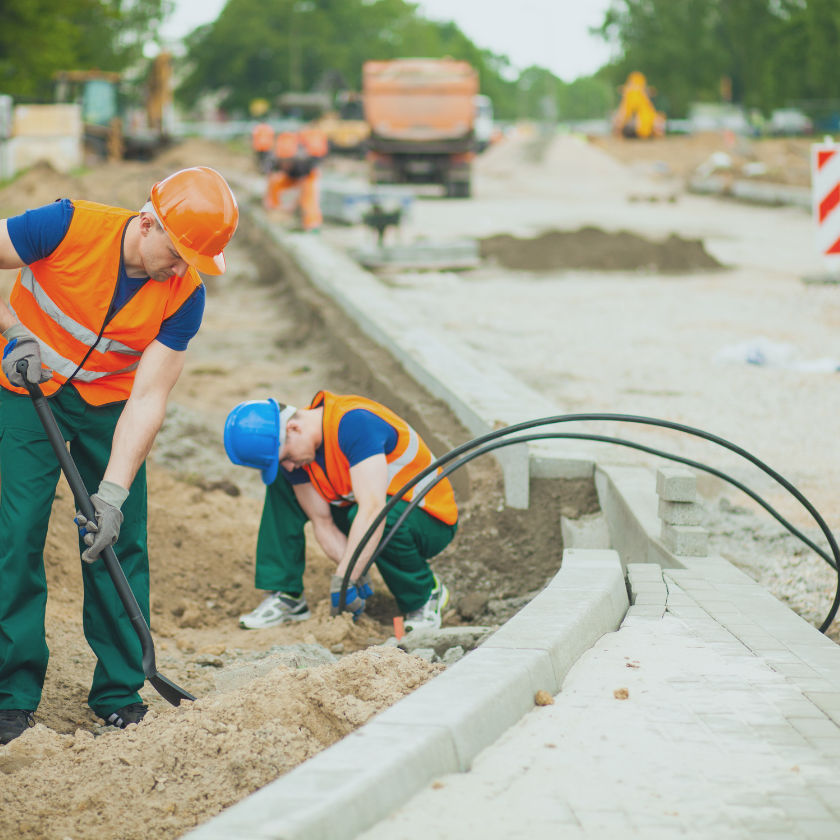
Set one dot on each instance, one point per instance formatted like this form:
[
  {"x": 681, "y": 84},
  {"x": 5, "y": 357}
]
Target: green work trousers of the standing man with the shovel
[{"x": 29, "y": 472}]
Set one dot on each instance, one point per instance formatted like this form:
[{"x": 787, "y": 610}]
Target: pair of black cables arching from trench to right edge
[{"x": 490, "y": 441}]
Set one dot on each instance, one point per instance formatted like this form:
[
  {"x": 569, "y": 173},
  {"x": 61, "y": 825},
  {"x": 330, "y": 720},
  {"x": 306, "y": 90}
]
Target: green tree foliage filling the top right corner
[{"x": 772, "y": 52}]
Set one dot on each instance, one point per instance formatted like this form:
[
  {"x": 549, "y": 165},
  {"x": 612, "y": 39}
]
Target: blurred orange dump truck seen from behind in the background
[{"x": 421, "y": 113}]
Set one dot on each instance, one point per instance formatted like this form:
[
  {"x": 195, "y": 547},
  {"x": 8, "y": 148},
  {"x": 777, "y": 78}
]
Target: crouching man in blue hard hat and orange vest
[{"x": 335, "y": 464}]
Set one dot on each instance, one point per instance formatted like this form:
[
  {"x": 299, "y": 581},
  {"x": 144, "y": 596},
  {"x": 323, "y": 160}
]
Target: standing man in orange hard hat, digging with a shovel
[{"x": 105, "y": 303}]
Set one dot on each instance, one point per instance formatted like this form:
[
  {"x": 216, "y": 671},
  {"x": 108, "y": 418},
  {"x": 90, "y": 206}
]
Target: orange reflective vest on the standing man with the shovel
[{"x": 63, "y": 301}]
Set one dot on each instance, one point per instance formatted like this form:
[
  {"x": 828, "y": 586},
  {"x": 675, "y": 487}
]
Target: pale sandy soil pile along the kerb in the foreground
[{"x": 181, "y": 766}]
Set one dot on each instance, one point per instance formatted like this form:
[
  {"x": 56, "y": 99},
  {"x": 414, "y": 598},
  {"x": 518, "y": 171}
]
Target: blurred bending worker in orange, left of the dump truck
[{"x": 297, "y": 156}]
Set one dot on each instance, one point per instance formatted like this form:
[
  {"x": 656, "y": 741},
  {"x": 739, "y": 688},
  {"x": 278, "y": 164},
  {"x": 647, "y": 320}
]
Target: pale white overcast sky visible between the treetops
[{"x": 551, "y": 33}]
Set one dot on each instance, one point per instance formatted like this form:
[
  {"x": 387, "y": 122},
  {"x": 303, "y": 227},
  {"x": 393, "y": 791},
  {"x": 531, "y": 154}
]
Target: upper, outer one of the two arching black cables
[{"x": 623, "y": 418}]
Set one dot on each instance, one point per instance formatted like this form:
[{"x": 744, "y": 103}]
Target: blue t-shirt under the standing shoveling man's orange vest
[{"x": 35, "y": 234}]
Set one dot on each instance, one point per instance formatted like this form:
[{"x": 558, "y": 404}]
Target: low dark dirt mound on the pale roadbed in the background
[{"x": 593, "y": 248}]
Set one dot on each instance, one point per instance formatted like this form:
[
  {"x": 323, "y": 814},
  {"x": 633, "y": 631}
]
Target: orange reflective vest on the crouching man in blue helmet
[{"x": 409, "y": 457}]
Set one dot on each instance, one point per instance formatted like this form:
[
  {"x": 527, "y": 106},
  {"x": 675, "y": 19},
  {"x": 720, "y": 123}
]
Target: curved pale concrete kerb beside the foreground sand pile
[{"x": 441, "y": 727}]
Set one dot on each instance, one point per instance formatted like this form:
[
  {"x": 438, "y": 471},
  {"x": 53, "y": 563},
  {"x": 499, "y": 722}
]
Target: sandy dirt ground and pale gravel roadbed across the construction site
[{"x": 655, "y": 331}]
